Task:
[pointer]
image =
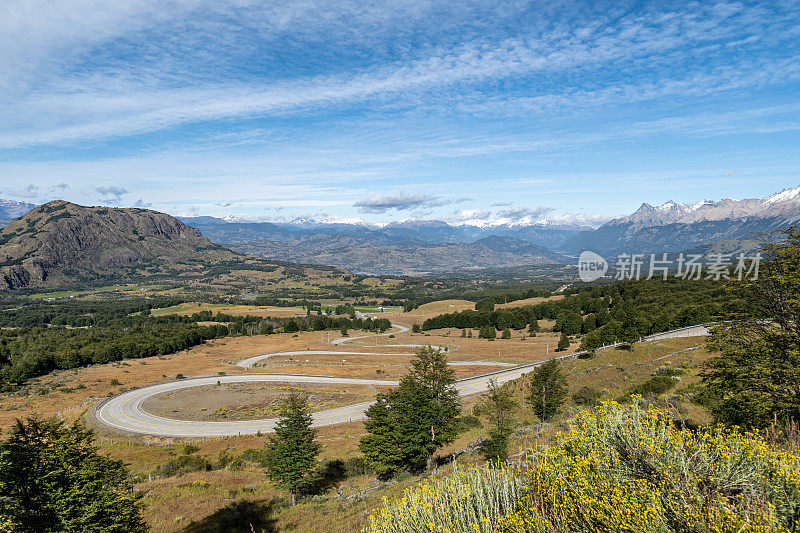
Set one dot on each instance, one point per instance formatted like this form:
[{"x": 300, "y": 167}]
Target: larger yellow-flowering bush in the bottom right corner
[{"x": 625, "y": 469}]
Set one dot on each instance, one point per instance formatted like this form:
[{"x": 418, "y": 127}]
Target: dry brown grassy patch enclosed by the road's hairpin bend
[{"x": 250, "y": 401}]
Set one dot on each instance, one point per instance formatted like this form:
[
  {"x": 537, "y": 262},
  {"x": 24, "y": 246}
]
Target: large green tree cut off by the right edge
[{"x": 756, "y": 376}]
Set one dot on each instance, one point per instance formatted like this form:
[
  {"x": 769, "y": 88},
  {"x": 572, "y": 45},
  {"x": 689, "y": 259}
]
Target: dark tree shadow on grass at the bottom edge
[{"x": 243, "y": 516}]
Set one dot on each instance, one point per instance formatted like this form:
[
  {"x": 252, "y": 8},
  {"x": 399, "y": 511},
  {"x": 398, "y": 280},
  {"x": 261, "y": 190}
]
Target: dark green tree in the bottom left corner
[{"x": 52, "y": 479}]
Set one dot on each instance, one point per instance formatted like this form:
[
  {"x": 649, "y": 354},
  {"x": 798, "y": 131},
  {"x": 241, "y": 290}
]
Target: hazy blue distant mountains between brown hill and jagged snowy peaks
[{"x": 411, "y": 247}]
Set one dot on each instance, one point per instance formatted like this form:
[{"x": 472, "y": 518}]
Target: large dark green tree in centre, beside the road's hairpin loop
[{"x": 408, "y": 424}]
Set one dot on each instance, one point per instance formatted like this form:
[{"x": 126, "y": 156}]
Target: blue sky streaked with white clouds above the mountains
[{"x": 463, "y": 111}]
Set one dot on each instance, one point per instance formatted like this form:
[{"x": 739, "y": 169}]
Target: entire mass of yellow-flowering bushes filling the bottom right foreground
[{"x": 620, "y": 469}]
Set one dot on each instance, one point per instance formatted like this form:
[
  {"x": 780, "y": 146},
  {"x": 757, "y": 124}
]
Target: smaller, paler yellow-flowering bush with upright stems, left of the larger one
[{"x": 465, "y": 501}]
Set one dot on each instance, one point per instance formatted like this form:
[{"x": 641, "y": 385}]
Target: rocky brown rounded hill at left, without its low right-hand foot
[{"x": 60, "y": 242}]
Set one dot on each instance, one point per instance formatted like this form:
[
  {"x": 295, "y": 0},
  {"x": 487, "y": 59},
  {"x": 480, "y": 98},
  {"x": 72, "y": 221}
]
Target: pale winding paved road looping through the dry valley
[{"x": 124, "y": 411}]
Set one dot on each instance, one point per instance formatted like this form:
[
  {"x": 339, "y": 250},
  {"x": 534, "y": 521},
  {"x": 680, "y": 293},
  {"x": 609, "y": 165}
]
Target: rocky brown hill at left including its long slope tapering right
[{"x": 61, "y": 244}]
